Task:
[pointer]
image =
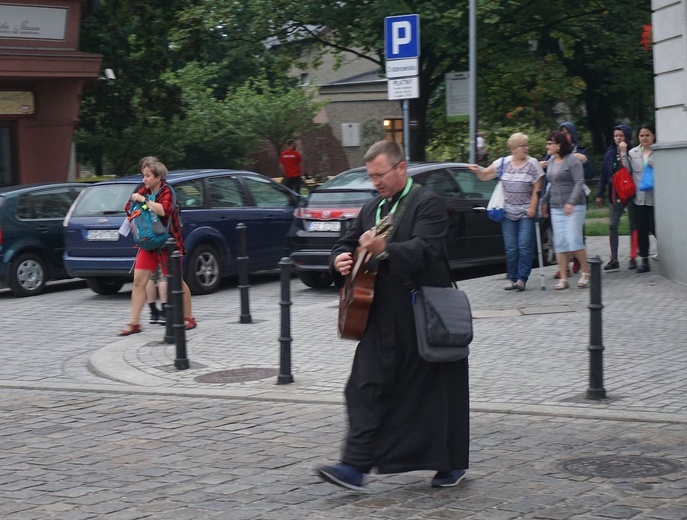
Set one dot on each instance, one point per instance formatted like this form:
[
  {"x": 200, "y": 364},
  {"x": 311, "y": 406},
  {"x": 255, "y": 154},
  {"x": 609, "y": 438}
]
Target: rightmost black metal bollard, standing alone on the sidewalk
[{"x": 596, "y": 370}]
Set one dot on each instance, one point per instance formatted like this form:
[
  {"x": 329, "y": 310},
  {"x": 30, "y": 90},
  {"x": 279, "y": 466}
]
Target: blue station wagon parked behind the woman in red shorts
[{"x": 212, "y": 203}]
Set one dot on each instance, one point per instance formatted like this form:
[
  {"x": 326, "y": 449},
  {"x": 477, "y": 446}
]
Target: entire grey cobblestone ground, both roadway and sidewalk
[{"x": 101, "y": 427}]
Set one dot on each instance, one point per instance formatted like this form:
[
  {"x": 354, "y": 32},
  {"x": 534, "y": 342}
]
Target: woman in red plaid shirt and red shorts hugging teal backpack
[{"x": 158, "y": 197}]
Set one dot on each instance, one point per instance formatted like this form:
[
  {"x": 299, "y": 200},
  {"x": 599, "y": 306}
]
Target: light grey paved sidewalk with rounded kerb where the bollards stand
[{"x": 529, "y": 353}]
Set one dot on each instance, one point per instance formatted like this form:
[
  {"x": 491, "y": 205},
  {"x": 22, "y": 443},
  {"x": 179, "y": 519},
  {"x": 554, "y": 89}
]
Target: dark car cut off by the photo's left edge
[{"x": 31, "y": 237}]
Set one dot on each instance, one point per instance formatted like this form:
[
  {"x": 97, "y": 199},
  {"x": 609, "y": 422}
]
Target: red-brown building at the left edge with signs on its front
[{"x": 42, "y": 77}]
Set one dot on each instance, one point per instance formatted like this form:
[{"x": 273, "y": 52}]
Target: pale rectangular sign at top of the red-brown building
[{"x": 33, "y": 23}]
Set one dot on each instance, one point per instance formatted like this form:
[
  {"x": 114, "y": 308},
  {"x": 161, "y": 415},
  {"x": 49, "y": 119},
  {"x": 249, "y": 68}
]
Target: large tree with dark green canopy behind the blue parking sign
[{"x": 534, "y": 60}]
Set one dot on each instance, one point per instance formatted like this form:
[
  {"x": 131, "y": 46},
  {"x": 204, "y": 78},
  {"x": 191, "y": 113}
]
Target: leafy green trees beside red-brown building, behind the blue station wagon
[{"x": 170, "y": 95}]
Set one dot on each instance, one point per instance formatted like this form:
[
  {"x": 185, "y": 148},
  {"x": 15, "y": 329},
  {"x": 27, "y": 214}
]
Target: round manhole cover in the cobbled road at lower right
[{"x": 614, "y": 466}]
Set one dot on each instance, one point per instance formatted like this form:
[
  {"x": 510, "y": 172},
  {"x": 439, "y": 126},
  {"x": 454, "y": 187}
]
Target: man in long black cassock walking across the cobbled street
[{"x": 404, "y": 413}]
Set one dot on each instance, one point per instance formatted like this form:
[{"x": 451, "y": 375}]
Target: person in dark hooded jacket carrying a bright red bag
[{"x": 622, "y": 136}]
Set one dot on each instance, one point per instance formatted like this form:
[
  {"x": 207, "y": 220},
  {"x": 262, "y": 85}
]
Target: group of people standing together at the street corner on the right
[{"x": 558, "y": 183}]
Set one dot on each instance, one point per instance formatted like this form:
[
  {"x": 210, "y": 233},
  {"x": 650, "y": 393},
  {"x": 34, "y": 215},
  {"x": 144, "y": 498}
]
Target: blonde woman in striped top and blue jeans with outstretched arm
[{"x": 521, "y": 176}]
